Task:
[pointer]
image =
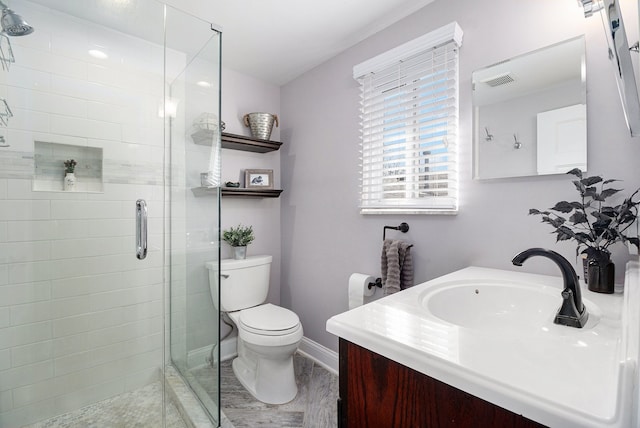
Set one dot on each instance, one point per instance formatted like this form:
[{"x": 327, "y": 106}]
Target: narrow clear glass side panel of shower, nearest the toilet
[{"x": 192, "y": 109}]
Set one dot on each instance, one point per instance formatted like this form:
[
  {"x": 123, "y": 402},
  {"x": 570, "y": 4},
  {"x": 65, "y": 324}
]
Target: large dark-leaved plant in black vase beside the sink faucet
[{"x": 594, "y": 225}]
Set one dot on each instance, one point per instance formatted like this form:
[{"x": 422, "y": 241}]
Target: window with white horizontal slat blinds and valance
[{"x": 409, "y": 126}]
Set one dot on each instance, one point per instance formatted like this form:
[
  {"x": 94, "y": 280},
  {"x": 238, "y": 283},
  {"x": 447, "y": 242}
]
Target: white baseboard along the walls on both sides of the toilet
[{"x": 310, "y": 349}]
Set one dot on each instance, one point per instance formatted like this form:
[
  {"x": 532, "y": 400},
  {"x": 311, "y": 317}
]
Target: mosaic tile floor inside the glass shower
[{"x": 141, "y": 408}]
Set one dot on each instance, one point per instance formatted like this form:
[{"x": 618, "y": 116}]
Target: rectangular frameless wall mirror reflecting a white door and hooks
[{"x": 529, "y": 113}]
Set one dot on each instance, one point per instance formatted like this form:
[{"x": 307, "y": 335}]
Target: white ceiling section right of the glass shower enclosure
[{"x": 278, "y": 41}]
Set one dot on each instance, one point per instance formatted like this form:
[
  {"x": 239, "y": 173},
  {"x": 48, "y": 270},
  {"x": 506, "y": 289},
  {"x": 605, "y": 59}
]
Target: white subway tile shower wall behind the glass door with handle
[{"x": 81, "y": 319}]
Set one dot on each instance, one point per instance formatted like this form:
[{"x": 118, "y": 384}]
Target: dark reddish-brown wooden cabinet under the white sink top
[{"x": 378, "y": 392}]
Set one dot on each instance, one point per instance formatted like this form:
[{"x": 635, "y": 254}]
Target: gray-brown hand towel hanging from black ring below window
[{"x": 396, "y": 266}]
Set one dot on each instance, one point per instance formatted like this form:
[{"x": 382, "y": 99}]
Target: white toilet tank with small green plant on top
[{"x": 243, "y": 283}]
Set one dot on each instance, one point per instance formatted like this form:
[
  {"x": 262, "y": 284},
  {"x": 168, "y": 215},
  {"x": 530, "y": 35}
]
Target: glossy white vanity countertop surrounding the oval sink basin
[{"x": 558, "y": 376}]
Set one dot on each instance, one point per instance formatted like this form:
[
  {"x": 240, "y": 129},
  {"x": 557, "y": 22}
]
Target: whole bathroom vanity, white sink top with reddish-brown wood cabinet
[{"x": 478, "y": 347}]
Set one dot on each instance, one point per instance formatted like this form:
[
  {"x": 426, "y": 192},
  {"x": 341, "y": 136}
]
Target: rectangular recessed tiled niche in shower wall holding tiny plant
[{"x": 50, "y": 171}]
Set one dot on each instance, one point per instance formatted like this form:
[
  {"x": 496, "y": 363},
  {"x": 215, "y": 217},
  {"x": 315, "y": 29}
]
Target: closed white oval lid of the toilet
[{"x": 269, "y": 319}]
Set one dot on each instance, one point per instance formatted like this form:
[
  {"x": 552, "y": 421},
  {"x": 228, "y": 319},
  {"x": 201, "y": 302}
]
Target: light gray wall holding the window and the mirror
[{"x": 325, "y": 239}]
